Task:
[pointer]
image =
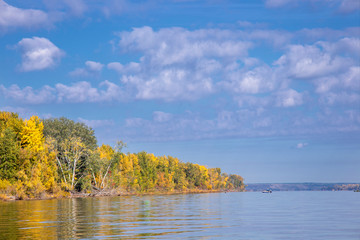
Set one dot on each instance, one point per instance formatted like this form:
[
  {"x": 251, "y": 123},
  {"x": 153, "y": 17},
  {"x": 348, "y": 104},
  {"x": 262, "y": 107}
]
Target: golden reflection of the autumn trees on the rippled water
[{"x": 131, "y": 217}]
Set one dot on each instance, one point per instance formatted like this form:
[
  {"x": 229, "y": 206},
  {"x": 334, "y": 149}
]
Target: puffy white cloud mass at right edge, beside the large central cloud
[{"x": 332, "y": 67}]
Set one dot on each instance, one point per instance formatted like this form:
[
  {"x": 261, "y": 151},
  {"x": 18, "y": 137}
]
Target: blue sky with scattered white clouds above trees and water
[{"x": 267, "y": 89}]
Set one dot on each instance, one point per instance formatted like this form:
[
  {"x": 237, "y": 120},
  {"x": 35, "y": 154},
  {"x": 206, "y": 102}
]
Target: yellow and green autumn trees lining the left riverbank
[{"x": 56, "y": 157}]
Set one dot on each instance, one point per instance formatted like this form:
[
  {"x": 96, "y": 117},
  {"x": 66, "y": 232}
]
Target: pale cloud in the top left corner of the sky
[{"x": 16, "y": 17}]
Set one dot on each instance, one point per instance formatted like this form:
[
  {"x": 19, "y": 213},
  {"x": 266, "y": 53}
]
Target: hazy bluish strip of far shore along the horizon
[{"x": 254, "y": 187}]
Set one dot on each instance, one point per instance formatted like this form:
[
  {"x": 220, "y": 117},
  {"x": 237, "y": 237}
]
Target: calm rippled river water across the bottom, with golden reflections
[{"x": 248, "y": 215}]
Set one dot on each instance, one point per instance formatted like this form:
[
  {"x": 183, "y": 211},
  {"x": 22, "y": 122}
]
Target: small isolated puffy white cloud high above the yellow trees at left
[{"x": 38, "y": 54}]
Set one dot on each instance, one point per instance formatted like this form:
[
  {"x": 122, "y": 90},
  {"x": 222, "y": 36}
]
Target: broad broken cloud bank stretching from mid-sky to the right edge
[{"x": 178, "y": 64}]
